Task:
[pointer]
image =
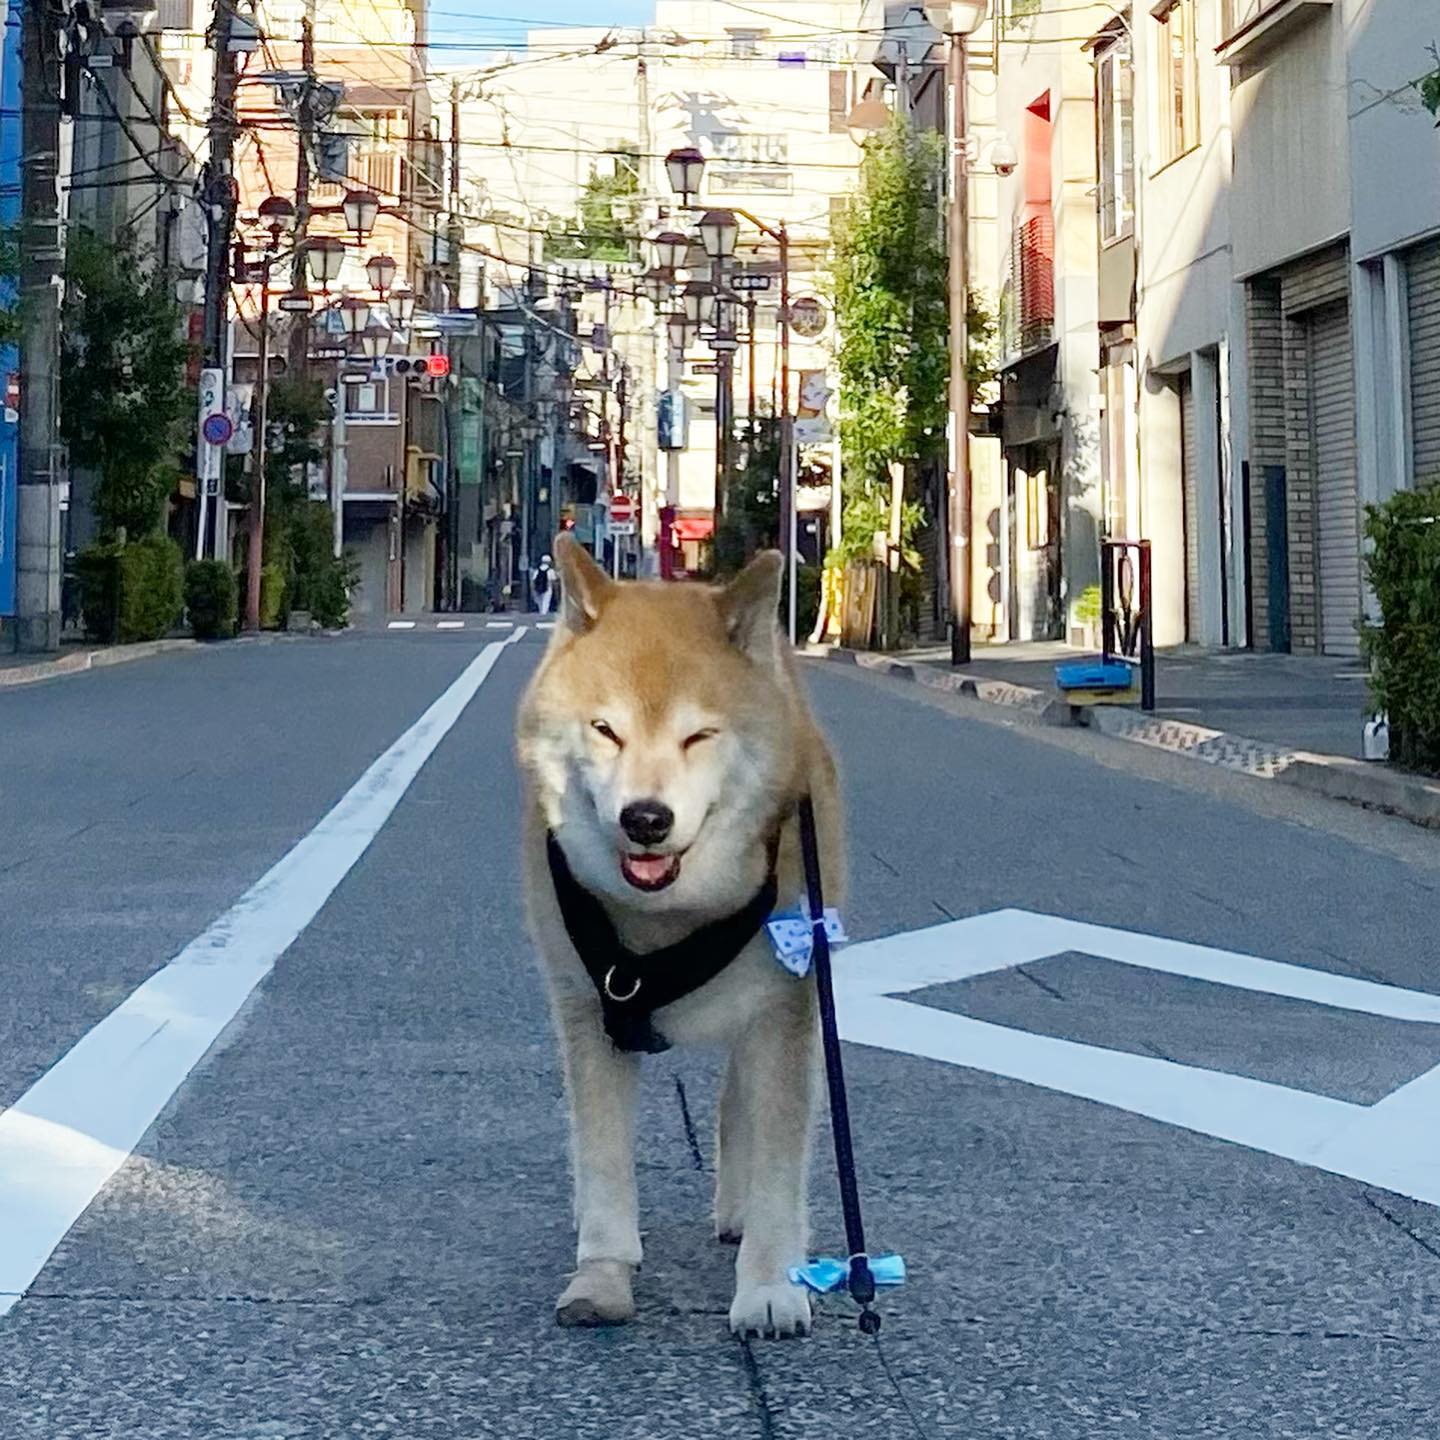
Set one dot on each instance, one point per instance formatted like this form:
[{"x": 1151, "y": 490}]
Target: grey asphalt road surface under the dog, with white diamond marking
[{"x": 352, "y": 1219}]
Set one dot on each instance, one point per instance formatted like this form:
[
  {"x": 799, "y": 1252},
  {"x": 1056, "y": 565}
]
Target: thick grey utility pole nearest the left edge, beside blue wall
[{"x": 38, "y": 521}]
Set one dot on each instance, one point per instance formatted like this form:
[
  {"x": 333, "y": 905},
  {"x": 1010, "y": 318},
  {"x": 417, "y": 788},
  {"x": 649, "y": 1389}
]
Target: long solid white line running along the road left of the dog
[{"x": 74, "y": 1128}]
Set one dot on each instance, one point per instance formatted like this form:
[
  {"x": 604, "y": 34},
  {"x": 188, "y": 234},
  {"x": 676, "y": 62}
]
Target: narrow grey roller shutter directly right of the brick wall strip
[{"x": 1333, "y": 438}]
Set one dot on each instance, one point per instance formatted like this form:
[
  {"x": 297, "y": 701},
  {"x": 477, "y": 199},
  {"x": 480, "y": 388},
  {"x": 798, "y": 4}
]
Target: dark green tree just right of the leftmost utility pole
[{"x": 125, "y": 400}]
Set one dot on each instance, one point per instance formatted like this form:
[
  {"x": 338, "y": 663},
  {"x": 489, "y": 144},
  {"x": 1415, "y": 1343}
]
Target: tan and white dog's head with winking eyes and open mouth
[{"x": 660, "y": 734}]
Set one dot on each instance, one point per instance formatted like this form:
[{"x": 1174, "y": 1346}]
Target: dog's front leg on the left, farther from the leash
[{"x": 603, "y": 1084}]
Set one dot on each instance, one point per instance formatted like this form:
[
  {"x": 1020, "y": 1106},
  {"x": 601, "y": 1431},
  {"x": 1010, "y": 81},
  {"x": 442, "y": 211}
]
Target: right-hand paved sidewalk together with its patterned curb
[{"x": 1295, "y": 719}]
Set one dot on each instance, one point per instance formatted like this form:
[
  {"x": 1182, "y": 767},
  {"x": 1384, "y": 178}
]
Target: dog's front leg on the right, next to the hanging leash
[{"x": 777, "y": 1065}]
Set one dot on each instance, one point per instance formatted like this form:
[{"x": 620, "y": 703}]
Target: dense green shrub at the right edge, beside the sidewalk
[{"x": 1403, "y": 570}]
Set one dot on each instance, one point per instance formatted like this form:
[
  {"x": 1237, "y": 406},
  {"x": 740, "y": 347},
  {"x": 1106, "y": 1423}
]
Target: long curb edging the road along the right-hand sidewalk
[{"x": 1357, "y": 783}]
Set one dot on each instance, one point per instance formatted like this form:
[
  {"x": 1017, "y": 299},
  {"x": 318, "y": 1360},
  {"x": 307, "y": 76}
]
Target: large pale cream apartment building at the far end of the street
[{"x": 765, "y": 97}]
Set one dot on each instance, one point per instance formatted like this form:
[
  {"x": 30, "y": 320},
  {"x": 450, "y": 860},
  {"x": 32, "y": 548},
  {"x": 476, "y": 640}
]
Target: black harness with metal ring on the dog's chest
[{"x": 633, "y": 987}]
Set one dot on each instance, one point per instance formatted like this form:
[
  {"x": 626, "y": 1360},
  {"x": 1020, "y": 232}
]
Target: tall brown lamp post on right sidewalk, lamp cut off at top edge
[{"x": 958, "y": 19}]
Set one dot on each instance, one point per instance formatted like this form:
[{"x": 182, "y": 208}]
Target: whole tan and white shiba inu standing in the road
[{"x": 666, "y": 745}]
